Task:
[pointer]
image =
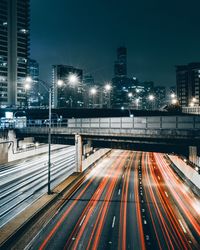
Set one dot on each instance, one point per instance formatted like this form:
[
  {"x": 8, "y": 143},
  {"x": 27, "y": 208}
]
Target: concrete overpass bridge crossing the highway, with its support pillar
[{"x": 178, "y": 134}]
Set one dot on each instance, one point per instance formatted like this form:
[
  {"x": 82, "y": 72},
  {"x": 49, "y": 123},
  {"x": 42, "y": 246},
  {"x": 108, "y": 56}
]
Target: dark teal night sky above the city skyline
[{"x": 85, "y": 33}]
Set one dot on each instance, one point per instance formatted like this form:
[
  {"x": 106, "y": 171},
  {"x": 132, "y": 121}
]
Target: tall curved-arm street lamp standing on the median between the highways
[{"x": 28, "y": 80}]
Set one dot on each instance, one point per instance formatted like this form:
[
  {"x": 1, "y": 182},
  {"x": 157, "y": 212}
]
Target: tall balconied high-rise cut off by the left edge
[{"x": 14, "y": 50}]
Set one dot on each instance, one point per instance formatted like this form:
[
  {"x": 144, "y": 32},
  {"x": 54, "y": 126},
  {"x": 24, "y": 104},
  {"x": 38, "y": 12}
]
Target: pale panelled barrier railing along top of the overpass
[{"x": 156, "y": 122}]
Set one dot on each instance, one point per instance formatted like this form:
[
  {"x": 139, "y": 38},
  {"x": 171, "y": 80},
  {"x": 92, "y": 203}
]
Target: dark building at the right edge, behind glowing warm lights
[{"x": 188, "y": 84}]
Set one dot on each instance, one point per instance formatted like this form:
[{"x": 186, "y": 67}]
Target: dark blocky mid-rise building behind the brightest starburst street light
[{"x": 70, "y": 94}]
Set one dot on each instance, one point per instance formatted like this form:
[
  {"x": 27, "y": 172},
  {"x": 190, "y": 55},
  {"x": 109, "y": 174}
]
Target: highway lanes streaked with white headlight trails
[{"x": 22, "y": 182}]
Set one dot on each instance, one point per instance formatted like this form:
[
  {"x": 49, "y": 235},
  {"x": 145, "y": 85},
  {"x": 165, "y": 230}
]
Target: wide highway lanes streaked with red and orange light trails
[{"x": 130, "y": 200}]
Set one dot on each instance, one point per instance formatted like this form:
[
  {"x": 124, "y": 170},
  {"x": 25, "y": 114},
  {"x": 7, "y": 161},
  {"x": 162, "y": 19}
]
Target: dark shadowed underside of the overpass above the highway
[{"x": 177, "y": 146}]
